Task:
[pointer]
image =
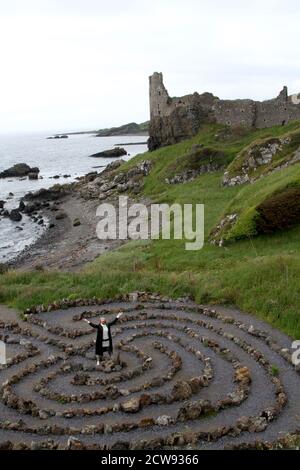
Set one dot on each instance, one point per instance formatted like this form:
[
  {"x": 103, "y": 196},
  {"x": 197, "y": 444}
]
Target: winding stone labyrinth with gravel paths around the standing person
[{"x": 182, "y": 376}]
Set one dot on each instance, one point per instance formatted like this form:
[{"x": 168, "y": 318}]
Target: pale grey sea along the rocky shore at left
[{"x": 54, "y": 157}]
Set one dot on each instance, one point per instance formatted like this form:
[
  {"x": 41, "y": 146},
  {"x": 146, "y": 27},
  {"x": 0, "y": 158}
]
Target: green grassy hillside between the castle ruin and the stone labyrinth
[{"x": 257, "y": 272}]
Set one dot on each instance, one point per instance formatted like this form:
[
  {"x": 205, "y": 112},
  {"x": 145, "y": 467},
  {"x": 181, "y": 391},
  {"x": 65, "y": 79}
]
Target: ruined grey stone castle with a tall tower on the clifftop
[{"x": 174, "y": 119}]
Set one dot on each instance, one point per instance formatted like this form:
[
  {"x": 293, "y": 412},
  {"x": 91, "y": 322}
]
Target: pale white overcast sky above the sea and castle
[{"x": 84, "y": 64}]
